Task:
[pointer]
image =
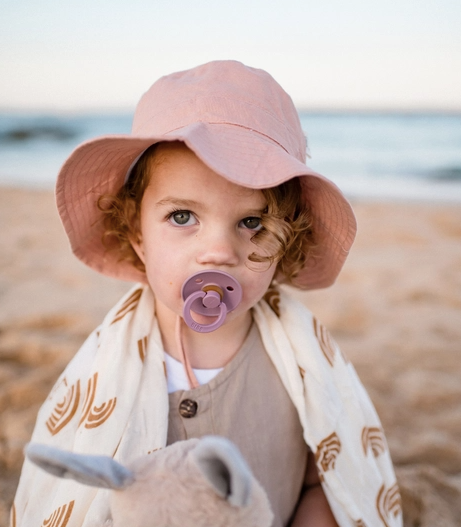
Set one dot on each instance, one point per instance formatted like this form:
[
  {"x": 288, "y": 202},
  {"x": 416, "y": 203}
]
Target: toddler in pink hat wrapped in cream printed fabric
[{"x": 208, "y": 205}]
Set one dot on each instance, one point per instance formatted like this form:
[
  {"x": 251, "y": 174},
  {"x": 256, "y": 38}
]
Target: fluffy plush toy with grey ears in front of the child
[{"x": 196, "y": 483}]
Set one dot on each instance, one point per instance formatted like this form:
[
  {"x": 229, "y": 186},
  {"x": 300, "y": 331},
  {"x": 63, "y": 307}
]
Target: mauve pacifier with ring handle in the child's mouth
[{"x": 210, "y": 293}]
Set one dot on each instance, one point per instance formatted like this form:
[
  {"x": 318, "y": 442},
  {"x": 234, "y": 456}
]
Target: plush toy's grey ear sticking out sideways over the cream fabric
[{"x": 95, "y": 471}]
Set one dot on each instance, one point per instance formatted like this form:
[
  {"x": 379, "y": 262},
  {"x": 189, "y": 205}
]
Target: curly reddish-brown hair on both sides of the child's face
[{"x": 286, "y": 236}]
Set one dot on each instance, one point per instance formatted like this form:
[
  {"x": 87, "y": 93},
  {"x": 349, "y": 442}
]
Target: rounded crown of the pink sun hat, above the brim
[{"x": 221, "y": 92}]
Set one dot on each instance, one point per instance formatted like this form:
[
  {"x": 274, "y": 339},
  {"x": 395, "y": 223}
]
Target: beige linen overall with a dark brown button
[{"x": 248, "y": 403}]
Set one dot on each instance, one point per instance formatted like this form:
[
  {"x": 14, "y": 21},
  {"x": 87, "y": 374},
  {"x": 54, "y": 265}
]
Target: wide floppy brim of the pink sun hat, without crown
[{"x": 242, "y": 156}]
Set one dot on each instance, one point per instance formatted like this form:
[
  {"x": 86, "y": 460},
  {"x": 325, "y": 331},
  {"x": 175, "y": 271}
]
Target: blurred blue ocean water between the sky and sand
[{"x": 377, "y": 156}]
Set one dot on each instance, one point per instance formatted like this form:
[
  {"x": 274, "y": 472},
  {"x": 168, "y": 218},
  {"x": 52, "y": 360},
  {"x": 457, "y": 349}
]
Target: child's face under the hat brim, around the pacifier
[{"x": 192, "y": 220}]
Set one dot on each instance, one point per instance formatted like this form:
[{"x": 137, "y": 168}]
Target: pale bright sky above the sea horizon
[{"x": 92, "y": 55}]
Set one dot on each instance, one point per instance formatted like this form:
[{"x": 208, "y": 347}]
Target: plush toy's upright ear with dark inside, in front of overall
[{"x": 224, "y": 467}]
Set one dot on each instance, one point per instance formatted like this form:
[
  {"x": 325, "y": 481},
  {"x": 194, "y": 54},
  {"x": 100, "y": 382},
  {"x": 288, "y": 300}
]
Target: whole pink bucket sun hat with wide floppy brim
[{"x": 239, "y": 122}]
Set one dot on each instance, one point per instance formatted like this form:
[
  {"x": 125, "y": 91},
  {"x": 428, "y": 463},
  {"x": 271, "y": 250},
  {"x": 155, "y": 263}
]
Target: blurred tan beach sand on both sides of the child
[{"x": 395, "y": 311}]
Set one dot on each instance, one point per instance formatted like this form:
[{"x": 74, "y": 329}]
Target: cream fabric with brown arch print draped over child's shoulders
[{"x": 112, "y": 399}]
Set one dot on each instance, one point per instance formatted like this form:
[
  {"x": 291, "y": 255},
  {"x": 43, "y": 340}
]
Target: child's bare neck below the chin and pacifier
[{"x": 204, "y": 350}]
